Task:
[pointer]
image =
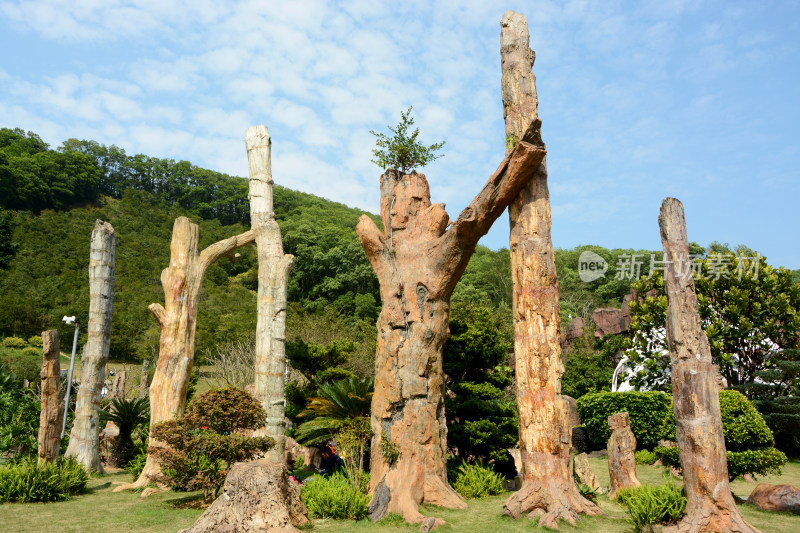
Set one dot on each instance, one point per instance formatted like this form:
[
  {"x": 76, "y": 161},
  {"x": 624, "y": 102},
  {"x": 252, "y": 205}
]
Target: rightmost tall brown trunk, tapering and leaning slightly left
[{"x": 695, "y": 395}]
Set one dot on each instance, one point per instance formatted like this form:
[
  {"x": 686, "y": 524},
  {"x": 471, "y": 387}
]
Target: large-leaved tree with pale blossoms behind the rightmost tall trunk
[{"x": 749, "y": 310}]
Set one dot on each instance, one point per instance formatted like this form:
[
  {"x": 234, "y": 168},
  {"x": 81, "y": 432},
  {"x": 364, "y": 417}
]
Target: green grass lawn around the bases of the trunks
[{"x": 103, "y": 511}]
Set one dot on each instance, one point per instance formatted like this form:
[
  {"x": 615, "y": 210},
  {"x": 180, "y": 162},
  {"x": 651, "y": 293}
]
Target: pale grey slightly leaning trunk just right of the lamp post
[{"x": 84, "y": 439}]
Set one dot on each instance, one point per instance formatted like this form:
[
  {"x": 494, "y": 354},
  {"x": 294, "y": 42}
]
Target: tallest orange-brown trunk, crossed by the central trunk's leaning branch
[{"x": 544, "y": 433}]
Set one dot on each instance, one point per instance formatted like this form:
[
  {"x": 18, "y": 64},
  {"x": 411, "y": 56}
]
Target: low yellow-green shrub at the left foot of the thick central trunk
[{"x": 334, "y": 497}]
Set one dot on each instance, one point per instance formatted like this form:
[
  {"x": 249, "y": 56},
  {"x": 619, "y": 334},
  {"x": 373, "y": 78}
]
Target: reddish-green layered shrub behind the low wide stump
[{"x": 206, "y": 441}]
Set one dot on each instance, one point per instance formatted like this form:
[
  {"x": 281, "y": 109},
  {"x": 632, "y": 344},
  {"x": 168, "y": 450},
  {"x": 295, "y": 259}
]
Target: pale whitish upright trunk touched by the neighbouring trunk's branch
[{"x": 273, "y": 279}]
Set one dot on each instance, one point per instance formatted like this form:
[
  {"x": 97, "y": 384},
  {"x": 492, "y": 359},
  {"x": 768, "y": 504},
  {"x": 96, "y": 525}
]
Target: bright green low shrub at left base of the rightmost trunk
[{"x": 648, "y": 505}]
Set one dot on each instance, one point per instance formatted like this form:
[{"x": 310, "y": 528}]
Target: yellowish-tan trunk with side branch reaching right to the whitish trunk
[{"x": 178, "y": 321}]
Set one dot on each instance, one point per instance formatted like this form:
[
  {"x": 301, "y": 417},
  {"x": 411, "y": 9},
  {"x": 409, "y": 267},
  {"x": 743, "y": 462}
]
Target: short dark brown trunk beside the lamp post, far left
[{"x": 52, "y": 408}]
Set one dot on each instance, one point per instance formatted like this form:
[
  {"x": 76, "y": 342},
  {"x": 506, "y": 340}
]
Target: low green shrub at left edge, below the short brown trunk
[{"x": 29, "y": 482}]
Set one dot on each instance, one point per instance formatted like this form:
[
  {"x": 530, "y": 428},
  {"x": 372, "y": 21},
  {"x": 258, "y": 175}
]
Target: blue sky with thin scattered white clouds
[{"x": 639, "y": 100}]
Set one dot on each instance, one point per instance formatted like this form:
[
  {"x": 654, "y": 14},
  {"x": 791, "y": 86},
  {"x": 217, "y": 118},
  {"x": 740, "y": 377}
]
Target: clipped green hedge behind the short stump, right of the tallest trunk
[{"x": 648, "y": 412}]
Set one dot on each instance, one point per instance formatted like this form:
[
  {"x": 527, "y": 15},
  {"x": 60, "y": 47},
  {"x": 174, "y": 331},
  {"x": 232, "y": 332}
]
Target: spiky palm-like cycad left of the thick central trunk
[{"x": 337, "y": 405}]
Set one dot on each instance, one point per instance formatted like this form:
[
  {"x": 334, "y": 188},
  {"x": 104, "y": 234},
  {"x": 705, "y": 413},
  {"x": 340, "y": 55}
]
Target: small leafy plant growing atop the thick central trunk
[{"x": 402, "y": 151}]
